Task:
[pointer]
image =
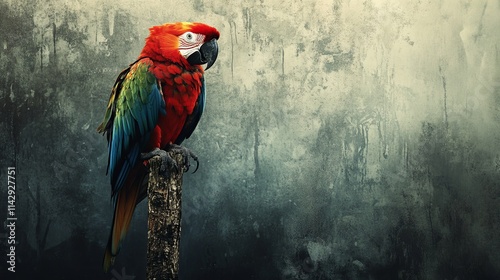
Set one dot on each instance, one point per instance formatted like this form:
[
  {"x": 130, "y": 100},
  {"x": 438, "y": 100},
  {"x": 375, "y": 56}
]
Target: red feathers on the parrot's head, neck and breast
[{"x": 181, "y": 82}]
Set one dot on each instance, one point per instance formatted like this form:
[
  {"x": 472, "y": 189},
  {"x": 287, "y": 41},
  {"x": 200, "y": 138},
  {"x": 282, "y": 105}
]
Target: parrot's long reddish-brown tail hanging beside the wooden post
[{"x": 127, "y": 198}]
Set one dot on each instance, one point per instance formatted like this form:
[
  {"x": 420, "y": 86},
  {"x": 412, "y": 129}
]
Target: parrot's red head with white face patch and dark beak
[{"x": 188, "y": 43}]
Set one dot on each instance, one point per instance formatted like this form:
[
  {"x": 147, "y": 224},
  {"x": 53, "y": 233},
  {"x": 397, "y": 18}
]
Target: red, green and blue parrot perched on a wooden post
[{"x": 155, "y": 104}]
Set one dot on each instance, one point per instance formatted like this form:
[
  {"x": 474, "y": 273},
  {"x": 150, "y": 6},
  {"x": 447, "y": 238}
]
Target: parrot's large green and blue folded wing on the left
[{"x": 134, "y": 105}]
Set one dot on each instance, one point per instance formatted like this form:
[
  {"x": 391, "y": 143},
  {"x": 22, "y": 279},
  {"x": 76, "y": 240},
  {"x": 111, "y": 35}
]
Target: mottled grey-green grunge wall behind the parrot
[{"x": 341, "y": 140}]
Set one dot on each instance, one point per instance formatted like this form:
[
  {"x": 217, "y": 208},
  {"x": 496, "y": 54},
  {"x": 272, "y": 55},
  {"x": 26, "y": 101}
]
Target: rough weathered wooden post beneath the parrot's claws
[{"x": 164, "y": 220}]
